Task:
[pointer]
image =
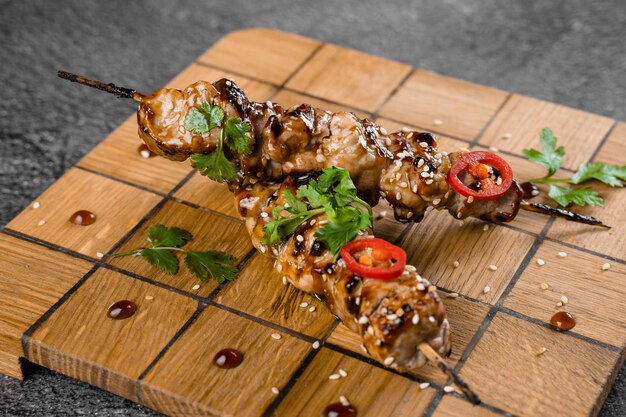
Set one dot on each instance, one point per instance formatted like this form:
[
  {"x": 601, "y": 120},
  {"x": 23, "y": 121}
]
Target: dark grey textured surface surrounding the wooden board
[{"x": 570, "y": 52}]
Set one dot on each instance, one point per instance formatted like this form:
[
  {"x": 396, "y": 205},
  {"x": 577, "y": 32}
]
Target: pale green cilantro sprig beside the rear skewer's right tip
[{"x": 551, "y": 157}]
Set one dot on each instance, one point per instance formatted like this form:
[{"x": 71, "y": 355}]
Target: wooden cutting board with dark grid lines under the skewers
[{"x": 57, "y": 279}]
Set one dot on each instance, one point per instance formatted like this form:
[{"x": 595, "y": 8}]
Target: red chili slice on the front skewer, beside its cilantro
[{"x": 393, "y": 253}]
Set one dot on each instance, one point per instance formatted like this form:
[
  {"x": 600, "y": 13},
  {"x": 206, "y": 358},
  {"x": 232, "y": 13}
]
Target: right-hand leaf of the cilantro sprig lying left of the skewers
[{"x": 213, "y": 264}]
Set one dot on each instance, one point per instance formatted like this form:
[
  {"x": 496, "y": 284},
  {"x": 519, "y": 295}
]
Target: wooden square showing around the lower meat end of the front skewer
[{"x": 465, "y": 317}]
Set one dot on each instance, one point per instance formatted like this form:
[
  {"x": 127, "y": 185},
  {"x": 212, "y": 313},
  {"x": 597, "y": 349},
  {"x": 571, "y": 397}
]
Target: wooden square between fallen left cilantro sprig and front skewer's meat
[{"x": 274, "y": 301}]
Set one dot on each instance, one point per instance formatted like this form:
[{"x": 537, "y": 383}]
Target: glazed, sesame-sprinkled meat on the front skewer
[{"x": 392, "y": 317}]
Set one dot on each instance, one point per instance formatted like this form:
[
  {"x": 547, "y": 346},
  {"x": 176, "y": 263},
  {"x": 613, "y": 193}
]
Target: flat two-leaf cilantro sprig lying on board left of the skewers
[{"x": 164, "y": 242}]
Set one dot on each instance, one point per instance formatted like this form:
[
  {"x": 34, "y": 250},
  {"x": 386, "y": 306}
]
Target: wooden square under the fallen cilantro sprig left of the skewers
[{"x": 210, "y": 232}]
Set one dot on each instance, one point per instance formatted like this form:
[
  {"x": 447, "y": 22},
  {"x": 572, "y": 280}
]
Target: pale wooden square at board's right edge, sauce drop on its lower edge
[{"x": 595, "y": 296}]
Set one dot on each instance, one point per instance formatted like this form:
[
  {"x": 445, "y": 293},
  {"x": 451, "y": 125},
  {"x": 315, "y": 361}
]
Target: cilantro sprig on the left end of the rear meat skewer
[{"x": 233, "y": 132}]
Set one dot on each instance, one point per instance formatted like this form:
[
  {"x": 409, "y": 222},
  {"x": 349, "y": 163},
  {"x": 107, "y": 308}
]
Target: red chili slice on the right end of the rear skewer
[{"x": 472, "y": 164}]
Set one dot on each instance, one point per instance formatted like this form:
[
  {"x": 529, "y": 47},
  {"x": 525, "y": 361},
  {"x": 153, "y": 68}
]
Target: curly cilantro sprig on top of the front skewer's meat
[{"x": 332, "y": 193}]
